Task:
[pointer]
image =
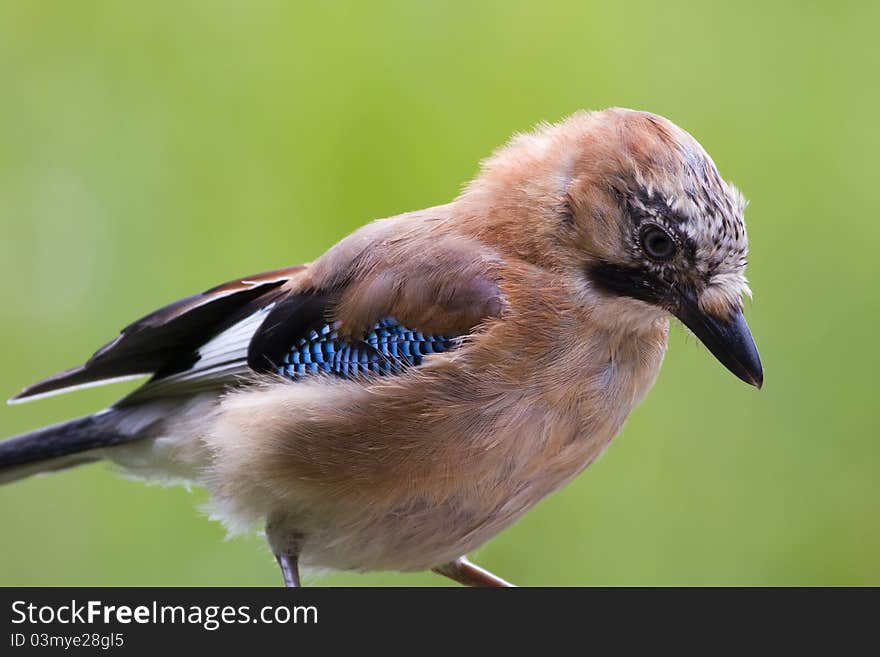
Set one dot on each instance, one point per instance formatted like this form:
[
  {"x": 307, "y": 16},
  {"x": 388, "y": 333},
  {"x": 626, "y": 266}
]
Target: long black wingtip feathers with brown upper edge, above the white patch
[{"x": 156, "y": 341}]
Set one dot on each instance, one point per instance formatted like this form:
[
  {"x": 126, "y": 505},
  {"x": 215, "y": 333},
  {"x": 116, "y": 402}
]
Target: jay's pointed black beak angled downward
[{"x": 729, "y": 341}]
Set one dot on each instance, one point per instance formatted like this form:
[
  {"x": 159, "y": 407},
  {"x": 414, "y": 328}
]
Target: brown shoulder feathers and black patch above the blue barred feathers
[{"x": 435, "y": 283}]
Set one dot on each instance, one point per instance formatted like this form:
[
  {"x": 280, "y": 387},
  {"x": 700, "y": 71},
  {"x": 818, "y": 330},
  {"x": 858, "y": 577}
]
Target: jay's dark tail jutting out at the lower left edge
[{"x": 61, "y": 445}]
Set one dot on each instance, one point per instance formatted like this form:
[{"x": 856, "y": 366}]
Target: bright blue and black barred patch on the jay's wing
[{"x": 388, "y": 348}]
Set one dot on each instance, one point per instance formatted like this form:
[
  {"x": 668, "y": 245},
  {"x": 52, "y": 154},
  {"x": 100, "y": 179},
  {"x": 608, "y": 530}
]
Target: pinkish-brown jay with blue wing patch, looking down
[{"x": 399, "y": 401}]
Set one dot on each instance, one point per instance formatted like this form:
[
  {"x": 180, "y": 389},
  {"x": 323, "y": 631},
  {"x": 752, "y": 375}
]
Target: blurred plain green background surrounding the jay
[{"x": 151, "y": 150}]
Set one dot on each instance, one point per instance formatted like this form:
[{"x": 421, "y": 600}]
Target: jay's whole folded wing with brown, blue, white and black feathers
[{"x": 368, "y": 317}]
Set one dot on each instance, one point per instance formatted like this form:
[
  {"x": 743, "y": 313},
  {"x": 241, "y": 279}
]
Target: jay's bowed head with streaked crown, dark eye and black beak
[{"x": 631, "y": 207}]
